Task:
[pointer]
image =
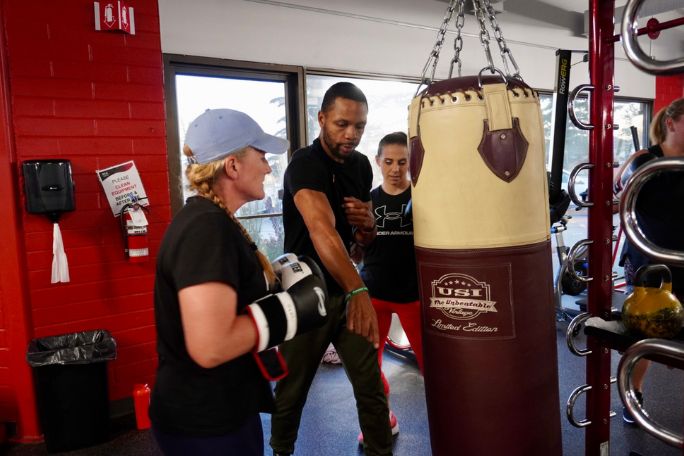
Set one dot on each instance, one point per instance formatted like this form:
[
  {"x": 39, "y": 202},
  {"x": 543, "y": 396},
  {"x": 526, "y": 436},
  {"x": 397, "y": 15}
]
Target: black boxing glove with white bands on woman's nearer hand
[{"x": 281, "y": 316}]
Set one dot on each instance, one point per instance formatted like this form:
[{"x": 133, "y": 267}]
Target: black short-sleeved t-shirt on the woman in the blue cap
[{"x": 201, "y": 245}]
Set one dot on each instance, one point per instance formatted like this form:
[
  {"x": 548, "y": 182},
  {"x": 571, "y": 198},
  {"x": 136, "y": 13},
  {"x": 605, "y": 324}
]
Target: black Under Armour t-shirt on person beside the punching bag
[{"x": 389, "y": 262}]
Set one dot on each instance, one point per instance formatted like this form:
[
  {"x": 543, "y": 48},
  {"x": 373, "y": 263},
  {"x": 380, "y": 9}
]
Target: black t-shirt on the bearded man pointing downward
[{"x": 312, "y": 169}]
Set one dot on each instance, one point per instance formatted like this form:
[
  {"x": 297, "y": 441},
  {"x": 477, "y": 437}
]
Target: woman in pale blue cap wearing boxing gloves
[{"x": 217, "y": 310}]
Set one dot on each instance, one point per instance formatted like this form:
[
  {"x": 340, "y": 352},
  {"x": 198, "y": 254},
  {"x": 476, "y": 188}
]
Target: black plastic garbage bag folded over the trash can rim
[{"x": 76, "y": 348}]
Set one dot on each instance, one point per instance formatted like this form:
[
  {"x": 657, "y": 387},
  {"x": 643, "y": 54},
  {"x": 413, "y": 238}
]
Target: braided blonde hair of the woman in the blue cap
[{"x": 201, "y": 179}]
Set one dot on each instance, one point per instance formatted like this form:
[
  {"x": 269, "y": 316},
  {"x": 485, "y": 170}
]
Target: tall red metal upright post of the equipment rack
[{"x": 601, "y": 69}]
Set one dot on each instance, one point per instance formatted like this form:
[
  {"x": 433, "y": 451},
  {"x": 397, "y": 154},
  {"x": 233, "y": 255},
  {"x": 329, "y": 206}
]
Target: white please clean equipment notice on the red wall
[{"x": 122, "y": 185}]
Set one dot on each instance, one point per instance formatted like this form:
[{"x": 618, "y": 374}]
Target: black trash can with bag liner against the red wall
[{"x": 70, "y": 373}]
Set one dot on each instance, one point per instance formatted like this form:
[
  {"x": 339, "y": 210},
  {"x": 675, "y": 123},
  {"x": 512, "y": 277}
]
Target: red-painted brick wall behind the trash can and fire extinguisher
[{"x": 96, "y": 99}]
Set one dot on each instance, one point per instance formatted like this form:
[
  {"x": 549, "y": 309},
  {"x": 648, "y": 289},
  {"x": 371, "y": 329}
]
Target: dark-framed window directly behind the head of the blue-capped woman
[{"x": 265, "y": 96}]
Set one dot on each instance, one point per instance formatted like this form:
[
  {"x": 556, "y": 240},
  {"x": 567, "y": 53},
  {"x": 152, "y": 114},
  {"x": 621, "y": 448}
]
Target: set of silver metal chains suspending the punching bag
[{"x": 483, "y": 10}]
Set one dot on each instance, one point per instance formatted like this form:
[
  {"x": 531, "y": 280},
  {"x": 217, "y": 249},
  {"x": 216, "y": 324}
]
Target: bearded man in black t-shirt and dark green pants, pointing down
[{"x": 326, "y": 209}]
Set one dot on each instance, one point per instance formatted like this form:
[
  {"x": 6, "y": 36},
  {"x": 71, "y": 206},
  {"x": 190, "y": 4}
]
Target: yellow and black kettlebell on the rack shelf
[{"x": 652, "y": 310}]
